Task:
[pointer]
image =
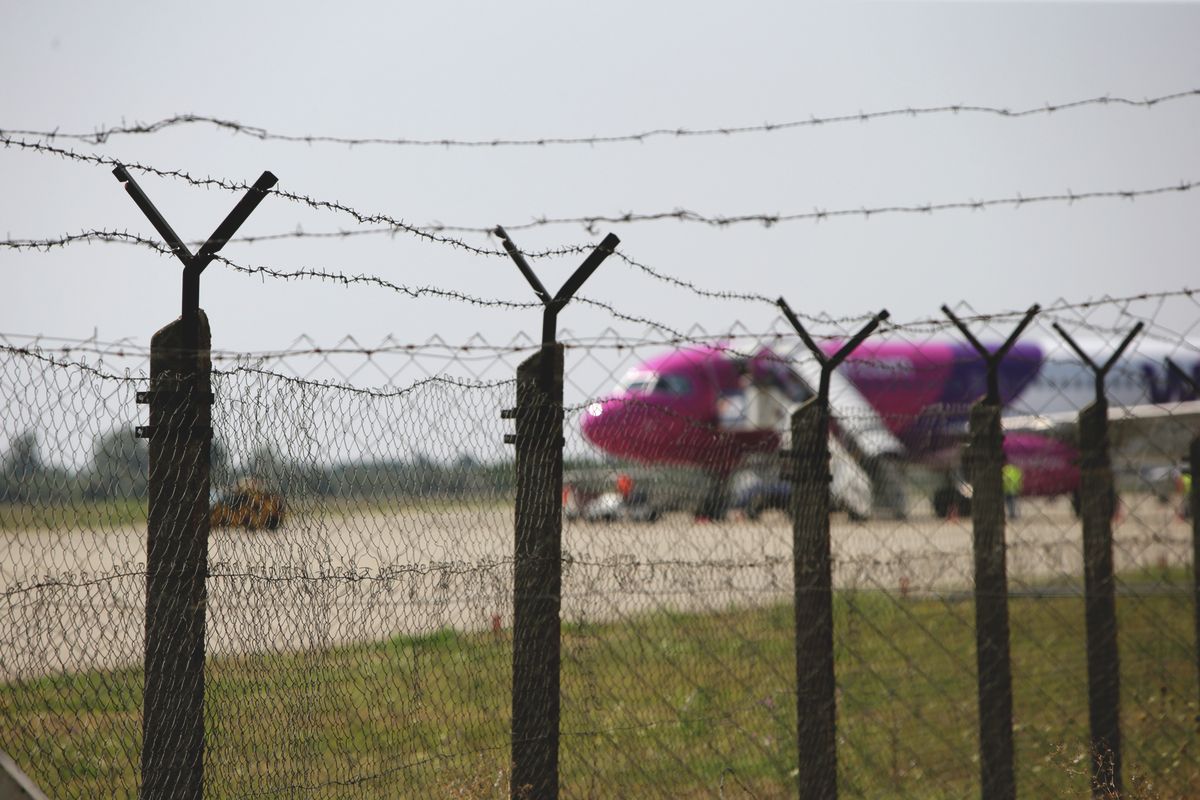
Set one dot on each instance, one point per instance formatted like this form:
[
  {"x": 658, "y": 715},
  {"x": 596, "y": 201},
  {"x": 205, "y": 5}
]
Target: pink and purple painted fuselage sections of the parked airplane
[{"x": 669, "y": 411}]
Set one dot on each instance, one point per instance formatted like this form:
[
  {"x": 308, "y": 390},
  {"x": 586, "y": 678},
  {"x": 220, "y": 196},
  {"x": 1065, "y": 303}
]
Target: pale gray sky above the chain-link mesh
[{"x": 529, "y": 70}]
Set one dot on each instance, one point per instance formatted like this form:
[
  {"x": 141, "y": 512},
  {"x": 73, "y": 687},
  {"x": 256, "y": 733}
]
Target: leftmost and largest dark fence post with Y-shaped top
[{"x": 181, "y": 434}]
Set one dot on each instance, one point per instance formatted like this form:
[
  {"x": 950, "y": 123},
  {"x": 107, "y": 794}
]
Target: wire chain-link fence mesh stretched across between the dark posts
[{"x": 363, "y": 549}]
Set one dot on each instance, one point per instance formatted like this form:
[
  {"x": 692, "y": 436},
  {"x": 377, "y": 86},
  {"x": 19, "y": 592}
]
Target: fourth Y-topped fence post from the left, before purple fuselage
[{"x": 985, "y": 460}]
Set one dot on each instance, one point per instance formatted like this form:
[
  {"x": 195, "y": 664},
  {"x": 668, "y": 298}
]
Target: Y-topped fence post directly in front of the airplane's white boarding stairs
[{"x": 808, "y": 471}]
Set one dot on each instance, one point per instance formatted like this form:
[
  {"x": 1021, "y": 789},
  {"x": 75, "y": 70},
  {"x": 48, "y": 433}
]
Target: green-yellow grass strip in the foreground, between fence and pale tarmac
[{"x": 665, "y": 705}]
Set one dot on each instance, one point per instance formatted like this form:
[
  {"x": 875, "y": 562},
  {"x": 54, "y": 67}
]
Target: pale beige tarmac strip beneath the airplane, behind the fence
[{"x": 75, "y": 600}]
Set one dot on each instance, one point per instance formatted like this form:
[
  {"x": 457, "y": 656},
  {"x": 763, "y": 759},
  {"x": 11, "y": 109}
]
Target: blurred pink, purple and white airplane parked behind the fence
[{"x": 893, "y": 404}]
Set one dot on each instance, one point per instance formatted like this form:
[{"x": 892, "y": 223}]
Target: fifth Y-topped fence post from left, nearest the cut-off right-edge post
[{"x": 1097, "y": 497}]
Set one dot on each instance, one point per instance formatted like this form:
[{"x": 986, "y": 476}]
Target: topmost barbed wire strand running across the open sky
[{"x": 104, "y": 134}]
